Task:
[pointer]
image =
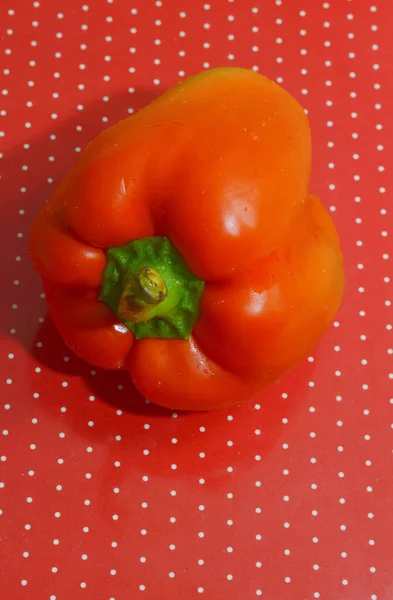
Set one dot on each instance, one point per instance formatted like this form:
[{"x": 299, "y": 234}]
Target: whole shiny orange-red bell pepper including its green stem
[{"x": 213, "y": 174}]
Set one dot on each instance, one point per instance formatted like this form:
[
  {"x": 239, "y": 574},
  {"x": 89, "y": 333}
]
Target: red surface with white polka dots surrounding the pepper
[{"x": 103, "y": 495}]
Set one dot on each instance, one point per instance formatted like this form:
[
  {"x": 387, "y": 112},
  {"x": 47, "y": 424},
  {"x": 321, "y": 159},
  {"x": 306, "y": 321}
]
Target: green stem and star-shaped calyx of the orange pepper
[{"x": 149, "y": 287}]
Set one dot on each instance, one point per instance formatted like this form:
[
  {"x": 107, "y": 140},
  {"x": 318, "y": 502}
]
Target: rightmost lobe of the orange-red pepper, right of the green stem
[{"x": 284, "y": 303}]
